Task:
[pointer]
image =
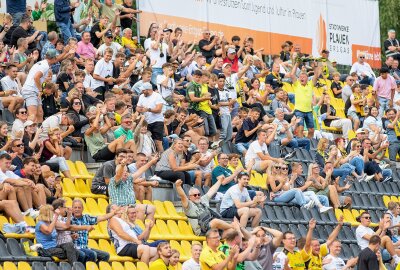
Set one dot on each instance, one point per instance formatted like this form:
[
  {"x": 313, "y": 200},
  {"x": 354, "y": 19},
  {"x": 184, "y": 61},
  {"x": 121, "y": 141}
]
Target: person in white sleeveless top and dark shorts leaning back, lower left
[{"x": 125, "y": 239}]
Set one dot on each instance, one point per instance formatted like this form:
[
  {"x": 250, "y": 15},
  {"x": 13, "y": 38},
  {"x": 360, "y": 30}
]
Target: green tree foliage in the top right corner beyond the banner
[{"x": 389, "y": 11}]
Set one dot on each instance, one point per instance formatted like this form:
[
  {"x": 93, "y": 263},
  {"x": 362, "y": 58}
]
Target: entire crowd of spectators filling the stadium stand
[{"x": 204, "y": 114}]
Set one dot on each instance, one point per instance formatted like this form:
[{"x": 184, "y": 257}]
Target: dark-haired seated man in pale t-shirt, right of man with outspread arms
[{"x": 236, "y": 202}]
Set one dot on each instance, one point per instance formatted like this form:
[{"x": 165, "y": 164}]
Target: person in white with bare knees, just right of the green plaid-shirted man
[{"x": 143, "y": 190}]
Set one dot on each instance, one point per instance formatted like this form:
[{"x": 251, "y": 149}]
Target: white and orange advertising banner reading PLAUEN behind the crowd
[{"x": 343, "y": 27}]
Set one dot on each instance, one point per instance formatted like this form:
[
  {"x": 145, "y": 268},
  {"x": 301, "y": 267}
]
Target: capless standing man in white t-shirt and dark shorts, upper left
[{"x": 103, "y": 74}]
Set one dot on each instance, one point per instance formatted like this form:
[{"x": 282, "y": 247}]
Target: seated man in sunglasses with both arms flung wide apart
[{"x": 196, "y": 205}]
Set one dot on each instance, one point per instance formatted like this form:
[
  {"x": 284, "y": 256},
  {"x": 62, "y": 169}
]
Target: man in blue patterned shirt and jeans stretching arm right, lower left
[{"x": 81, "y": 242}]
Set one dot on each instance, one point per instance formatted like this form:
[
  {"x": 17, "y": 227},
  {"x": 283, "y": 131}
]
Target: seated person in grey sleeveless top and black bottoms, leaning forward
[{"x": 172, "y": 166}]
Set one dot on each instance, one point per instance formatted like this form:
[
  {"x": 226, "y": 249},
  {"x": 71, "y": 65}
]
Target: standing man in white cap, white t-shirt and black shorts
[{"x": 151, "y": 103}]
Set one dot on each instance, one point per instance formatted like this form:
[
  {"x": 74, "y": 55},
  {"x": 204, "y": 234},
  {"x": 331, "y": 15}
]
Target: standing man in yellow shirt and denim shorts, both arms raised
[{"x": 304, "y": 99}]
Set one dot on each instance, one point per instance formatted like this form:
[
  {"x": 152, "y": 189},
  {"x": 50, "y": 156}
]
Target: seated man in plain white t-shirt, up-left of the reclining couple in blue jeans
[{"x": 258, "y": 153}]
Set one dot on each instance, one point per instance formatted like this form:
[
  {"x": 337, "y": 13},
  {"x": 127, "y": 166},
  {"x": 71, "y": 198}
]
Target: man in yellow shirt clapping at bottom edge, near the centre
[{"x": 212, "y": 258}]
